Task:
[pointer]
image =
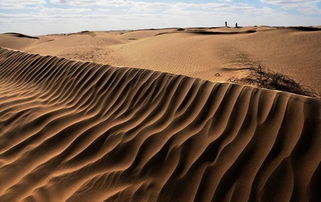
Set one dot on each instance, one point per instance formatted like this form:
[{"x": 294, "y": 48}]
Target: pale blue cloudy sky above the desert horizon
[{"x": 38, "y": 17}]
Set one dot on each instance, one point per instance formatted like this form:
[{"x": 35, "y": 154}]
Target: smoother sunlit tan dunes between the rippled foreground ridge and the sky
[{"x": 215, "y": 54}]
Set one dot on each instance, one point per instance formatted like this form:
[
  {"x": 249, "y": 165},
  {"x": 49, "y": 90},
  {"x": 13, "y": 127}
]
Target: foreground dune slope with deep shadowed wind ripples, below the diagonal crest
[{"x": 80, "y": 131}]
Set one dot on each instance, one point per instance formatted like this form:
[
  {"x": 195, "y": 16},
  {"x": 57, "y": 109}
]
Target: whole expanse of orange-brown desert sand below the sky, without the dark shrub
[{"x": 75, "y": 130}]
